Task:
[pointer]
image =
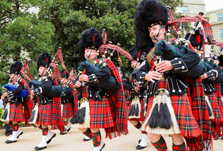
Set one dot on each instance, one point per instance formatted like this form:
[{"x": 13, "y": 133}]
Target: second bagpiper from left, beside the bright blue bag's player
[{"x": 46, "y": 99}]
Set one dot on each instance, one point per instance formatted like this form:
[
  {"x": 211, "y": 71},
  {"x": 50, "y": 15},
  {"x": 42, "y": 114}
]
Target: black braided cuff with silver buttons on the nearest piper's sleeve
[{"x": 179, "y": 65}]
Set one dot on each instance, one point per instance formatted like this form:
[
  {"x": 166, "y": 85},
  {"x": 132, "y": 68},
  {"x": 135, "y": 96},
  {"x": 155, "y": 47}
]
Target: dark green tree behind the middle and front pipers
[{"x": 71, "y": 17}]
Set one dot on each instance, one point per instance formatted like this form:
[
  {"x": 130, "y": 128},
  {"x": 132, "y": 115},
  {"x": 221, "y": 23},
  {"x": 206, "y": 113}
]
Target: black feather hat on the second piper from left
[{"x": 44, "y": 59}]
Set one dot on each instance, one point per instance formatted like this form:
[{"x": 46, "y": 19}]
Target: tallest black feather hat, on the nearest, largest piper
[{"x": 148, "y": 12}]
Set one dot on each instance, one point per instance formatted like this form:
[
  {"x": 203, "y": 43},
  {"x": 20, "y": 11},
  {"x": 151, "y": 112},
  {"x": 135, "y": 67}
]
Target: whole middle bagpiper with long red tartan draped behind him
[{"x": 105, "y": 105}]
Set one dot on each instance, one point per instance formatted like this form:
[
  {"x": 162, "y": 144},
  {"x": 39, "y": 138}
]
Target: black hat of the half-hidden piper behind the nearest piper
[{"x": 137, "y": 54}]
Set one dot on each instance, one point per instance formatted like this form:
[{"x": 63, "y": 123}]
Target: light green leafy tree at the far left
[{"x": 20, "y": 31}]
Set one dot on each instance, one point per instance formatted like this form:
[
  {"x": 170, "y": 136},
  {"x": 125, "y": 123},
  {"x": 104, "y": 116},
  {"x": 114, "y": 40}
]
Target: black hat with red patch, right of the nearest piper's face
[{"x": 196, "y": 40}]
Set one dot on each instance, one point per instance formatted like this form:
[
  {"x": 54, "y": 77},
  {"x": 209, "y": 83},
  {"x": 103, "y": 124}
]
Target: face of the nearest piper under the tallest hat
[{"x": 154, "y": 31}]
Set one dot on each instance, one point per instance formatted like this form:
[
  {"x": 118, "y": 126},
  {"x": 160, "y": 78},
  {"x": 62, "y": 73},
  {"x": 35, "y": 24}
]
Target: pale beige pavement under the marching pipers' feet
[{"x": 73, "y": 141}]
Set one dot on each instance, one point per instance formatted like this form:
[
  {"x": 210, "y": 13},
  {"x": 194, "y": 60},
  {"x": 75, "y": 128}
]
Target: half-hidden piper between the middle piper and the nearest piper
[{"x": 136, "y": 98}]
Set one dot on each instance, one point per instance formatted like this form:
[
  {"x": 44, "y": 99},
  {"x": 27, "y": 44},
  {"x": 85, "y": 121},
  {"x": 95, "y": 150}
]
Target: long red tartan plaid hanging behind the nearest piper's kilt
[{"x": 199, "y": 108}]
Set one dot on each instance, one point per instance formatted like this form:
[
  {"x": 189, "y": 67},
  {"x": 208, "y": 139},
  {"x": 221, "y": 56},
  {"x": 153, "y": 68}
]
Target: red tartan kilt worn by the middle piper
[{"x": 100, "y": 114}]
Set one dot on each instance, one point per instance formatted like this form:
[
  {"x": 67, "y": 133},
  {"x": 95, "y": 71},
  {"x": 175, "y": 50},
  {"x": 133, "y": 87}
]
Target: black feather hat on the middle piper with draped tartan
[{"x": 89, "y": 38}]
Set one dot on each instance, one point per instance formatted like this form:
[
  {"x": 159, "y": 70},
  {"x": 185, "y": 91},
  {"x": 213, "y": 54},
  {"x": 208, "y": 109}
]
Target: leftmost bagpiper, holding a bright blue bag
[{"x": 16, "y": 97}]
